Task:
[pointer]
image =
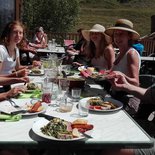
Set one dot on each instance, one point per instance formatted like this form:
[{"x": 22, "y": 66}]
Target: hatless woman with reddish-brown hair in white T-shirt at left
[{"x": 9, "y": 52}]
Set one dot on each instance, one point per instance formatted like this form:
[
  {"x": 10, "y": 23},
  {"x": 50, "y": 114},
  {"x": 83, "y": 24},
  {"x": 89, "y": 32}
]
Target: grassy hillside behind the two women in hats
[{"x": 106, "y": 12}]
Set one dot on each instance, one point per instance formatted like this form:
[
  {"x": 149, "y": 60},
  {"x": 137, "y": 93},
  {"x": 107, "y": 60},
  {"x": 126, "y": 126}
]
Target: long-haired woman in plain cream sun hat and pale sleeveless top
[{"x": 100, "y": 48}]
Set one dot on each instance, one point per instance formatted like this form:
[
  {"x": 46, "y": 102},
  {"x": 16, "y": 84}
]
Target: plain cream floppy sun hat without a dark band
[{"x": 96, "y": 28}]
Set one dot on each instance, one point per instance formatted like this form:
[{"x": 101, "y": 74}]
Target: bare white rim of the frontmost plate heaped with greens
[{"x": 41, "y": 123}]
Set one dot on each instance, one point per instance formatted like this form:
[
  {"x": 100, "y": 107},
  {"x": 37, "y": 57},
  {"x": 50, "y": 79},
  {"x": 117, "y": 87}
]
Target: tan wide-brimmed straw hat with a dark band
[{"x": 123, "y": 24}]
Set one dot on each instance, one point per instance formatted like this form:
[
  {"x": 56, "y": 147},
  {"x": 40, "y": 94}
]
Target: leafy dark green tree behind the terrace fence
[{"x": 53, "y": 15}]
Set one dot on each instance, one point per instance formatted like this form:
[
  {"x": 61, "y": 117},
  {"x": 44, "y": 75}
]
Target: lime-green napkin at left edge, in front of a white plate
[{"x": 10, "y": 118}]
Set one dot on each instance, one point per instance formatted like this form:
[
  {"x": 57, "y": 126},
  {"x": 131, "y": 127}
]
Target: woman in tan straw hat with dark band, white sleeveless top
[{"x": 128, "y": 60}]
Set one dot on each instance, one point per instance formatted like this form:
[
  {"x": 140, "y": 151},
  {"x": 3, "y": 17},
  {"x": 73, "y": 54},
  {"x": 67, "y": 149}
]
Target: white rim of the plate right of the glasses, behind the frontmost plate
[{"x": 115, "y": 102}]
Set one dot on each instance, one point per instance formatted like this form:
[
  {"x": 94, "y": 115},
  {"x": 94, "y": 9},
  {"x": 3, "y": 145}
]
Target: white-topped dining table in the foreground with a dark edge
[{"x": 111, "y": 129}]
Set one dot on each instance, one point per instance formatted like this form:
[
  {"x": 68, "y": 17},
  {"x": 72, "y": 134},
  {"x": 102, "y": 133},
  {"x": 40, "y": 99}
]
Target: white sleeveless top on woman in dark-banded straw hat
[{"x": 122, "y": 66}]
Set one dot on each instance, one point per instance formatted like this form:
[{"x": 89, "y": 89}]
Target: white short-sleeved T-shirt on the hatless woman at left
[{"x": 8, "y": 63}]
